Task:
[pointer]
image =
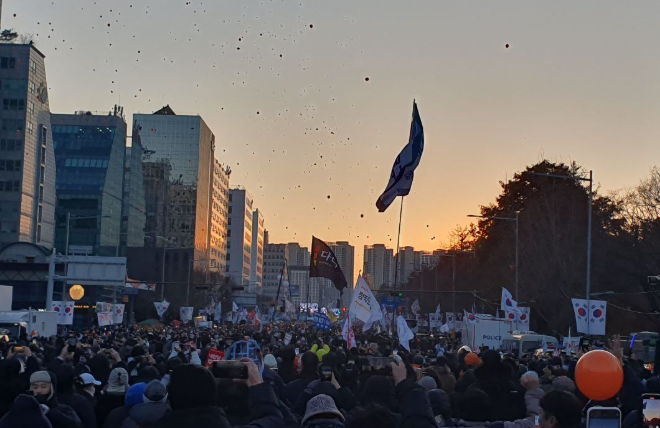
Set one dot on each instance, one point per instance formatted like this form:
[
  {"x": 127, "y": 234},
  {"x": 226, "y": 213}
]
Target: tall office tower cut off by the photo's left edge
[{"x": 27, "y": 158}]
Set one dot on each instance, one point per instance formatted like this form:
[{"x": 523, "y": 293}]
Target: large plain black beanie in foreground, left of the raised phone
[{"x": 191, "y": 387}]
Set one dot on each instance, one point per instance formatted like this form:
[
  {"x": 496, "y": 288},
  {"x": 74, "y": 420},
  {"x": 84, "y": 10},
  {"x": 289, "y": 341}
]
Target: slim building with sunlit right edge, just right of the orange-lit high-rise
[{"x": 239, "y": 242}]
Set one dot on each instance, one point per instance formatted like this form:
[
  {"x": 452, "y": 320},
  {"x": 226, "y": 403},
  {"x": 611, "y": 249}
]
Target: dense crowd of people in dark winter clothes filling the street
[{"x": 297, "y": 377}]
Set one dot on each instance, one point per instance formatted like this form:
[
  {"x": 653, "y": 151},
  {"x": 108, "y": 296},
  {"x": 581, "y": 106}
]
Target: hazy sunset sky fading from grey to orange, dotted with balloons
[{"x": 317, "y": 101}]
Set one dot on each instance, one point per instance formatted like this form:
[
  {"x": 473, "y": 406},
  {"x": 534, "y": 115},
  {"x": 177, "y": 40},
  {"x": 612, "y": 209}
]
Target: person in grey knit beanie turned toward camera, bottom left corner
[{"x": 44, "y": 387}]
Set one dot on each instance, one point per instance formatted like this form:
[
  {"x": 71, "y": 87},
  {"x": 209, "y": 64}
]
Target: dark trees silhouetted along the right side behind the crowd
[{"x": 553, "y": 218}]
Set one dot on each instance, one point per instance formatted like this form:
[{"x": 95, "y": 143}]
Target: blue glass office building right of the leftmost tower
[{"x": 89, "y": 153}]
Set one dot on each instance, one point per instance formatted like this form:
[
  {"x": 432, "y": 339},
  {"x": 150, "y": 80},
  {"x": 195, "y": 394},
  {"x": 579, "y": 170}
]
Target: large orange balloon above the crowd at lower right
[{"x": 599, "y": 375}]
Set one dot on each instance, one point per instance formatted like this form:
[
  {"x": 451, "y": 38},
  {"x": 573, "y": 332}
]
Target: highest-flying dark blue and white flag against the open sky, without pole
[{"x": 404, "y": 166}]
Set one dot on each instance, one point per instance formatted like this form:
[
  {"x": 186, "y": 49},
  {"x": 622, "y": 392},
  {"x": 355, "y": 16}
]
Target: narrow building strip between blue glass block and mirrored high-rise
[{"x": 134, "y": 214}]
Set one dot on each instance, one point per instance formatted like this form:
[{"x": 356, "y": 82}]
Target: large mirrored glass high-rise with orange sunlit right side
[{"x": 178, "y": 164}]
